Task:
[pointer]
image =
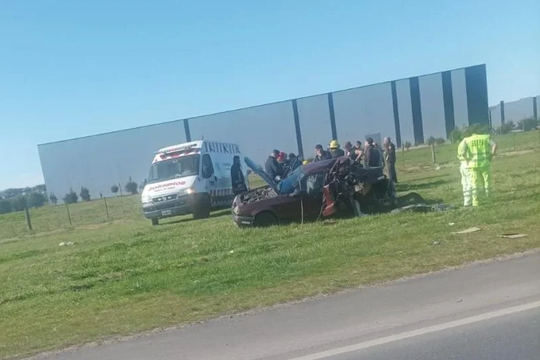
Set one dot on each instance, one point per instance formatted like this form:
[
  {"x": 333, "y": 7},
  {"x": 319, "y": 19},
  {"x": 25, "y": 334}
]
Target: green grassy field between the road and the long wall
[{"x": 124, "y": 276}]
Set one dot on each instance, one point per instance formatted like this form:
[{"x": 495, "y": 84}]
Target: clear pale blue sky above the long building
[{"x": 77, "y": 68}]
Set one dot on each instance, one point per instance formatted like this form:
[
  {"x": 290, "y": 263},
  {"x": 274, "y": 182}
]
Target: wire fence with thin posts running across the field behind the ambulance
[{"x": 52, "y": 218}]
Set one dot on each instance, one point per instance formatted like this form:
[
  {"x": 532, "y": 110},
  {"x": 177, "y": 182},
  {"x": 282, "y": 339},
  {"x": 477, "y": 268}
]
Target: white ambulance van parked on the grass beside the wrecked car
[{"x": 190, "y": 178}]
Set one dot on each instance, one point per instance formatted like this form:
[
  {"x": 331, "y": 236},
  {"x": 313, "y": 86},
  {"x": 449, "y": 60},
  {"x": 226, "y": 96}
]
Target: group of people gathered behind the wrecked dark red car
[{"x": 371, "y": 155}]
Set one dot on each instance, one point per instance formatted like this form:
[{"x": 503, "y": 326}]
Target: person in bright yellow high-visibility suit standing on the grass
[{"x": 477, "y": 151}]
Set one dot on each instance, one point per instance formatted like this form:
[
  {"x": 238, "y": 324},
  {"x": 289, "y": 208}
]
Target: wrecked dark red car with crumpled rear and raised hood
[{"x": 336, "y": 187}]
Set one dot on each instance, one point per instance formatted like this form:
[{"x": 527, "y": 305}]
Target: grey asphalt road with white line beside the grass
[{"x": 489, "y": 311}]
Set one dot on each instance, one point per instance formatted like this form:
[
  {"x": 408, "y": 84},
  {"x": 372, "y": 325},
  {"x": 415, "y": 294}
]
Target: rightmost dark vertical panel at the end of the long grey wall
[{"x": 477, "y": 98}]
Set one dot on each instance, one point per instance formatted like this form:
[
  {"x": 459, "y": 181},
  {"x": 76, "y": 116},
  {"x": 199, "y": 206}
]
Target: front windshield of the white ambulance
[{"x": 174, "y": 168}]
